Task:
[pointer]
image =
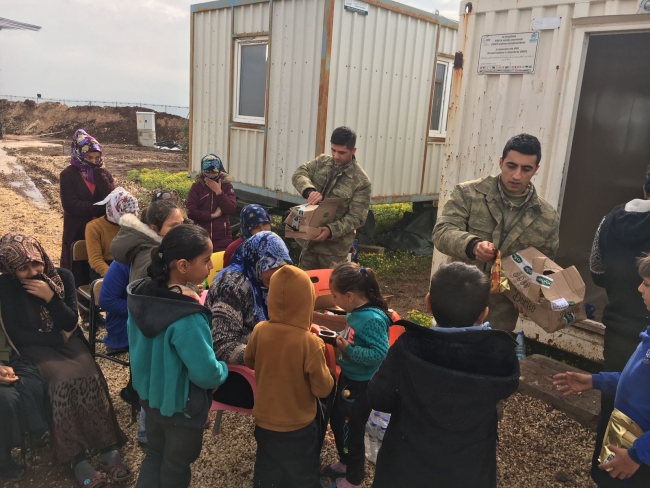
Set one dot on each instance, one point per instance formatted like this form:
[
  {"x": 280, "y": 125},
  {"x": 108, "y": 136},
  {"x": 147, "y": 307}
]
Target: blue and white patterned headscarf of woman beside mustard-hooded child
[{"x": 264, "y": 251}]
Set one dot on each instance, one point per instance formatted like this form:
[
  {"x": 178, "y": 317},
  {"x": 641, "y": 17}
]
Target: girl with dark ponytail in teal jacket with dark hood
[{"x": 172, "y": 361}]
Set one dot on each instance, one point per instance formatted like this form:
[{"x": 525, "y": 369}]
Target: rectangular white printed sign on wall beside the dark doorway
[{"x": 508, "y": 53}]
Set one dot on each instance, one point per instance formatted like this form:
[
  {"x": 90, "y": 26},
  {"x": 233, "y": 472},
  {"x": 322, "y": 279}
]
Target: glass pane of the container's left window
[{"x": 252, "y": 80}]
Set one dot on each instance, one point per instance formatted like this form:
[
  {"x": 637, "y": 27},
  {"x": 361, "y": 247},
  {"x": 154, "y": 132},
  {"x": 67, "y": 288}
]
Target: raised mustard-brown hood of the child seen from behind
[{"x": 291, "y": 298}]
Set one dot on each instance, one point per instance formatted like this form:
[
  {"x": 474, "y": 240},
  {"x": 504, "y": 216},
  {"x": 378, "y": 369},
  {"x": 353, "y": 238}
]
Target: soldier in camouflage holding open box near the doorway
[{"x": 502, "y": 213}]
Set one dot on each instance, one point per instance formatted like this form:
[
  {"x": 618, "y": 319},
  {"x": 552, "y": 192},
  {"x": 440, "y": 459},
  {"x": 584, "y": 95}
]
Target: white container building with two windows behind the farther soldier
[{"x": 270, "y": 80}]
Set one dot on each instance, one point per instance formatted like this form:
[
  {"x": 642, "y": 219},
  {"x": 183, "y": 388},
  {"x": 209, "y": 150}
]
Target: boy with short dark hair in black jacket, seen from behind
[{"x": 441, "y": 386}]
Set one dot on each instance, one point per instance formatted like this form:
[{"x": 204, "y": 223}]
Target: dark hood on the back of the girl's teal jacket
[{"x": 155, "y": 308}]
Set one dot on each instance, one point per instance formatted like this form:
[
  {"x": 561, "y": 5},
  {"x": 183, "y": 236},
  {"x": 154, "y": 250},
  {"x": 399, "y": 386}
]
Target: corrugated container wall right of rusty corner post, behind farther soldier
[{"x": 380, "y": 85}]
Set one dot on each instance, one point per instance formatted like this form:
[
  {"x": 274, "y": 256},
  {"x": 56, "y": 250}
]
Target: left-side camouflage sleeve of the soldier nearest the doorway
[{"x": 450, "y": 235}]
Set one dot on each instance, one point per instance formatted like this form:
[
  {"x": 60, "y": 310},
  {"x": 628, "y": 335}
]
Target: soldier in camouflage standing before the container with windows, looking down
[{"x": 335, "y": 176}]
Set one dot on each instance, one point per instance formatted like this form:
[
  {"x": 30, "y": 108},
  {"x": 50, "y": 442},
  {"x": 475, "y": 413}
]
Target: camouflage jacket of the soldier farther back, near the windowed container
[{"x": 352, "y": 184}]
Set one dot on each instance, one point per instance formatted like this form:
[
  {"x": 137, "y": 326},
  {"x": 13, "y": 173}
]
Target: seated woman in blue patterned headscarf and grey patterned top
[{"x": 237, "y": 300}]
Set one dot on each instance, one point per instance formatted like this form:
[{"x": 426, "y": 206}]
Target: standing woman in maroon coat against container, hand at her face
[{"x": 212, "y": 200}]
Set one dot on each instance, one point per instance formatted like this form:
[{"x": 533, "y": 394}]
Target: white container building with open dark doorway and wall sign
[{"x": 585, "y": 95}]
